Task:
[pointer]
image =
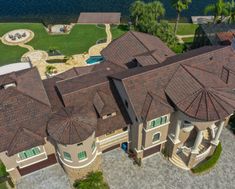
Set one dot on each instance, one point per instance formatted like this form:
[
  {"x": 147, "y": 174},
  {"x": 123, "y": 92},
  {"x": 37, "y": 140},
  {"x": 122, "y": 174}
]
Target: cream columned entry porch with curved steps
[{"x": 188, "y": 154}]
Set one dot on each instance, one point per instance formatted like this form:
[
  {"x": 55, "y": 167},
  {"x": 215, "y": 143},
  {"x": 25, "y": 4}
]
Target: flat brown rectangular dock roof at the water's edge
[{"x": 99, "y": 18}]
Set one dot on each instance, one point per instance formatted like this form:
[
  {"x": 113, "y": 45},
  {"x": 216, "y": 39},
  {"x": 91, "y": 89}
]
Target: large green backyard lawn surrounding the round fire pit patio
[{"x": 81, "y": 38}]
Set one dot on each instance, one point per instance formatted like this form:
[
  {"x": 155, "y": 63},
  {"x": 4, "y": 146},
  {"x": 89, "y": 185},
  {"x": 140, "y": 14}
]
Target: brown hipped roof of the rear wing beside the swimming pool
[{"x": 133, "y": 45}]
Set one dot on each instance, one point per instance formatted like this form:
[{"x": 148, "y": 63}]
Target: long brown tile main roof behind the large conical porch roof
[{"x": 139, "y": 82}]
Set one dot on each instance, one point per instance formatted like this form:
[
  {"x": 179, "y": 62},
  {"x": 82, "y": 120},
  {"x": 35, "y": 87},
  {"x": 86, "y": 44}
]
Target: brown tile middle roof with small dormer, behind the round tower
[{"x": 98, "y": 95}]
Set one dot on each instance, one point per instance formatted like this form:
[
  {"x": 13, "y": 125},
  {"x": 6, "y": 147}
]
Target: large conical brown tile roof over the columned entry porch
[{"x": 200, "y": 94}]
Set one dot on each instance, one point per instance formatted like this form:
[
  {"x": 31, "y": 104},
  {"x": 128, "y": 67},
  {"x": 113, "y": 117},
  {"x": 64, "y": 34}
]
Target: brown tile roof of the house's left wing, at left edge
[{"x": 24, "y": 111}]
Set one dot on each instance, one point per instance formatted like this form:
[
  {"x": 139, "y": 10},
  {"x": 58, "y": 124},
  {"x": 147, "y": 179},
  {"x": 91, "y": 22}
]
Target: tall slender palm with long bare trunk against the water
[{"x": 179, "y": 6}]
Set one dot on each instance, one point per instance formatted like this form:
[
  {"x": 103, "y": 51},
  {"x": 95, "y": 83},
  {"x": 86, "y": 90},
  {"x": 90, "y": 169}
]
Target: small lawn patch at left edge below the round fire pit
[{"x": 10, "y": 54}]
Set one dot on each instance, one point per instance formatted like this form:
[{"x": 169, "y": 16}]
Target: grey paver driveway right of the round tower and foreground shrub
[{"x": 156, "y": 172}]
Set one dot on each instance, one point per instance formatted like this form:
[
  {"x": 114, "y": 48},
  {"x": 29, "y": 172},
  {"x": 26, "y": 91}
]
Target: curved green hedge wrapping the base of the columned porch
[{"x": 210, "y": 162}]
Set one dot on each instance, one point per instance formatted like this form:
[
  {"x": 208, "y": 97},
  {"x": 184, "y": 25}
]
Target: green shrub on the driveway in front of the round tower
[{"x": 93, "y": 180}]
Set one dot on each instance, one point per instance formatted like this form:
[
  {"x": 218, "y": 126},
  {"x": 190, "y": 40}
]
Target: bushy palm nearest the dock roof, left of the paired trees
[{"x": 137, "y": 9}]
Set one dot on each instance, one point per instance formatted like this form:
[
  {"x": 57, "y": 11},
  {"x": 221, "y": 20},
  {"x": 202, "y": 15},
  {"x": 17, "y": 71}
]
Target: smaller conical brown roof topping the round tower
[{"x": 72, "y": 125}]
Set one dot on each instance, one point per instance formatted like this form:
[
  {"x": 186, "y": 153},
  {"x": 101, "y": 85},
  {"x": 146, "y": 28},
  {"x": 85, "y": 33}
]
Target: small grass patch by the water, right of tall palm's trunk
[{"x": 185, "y": 28}]
